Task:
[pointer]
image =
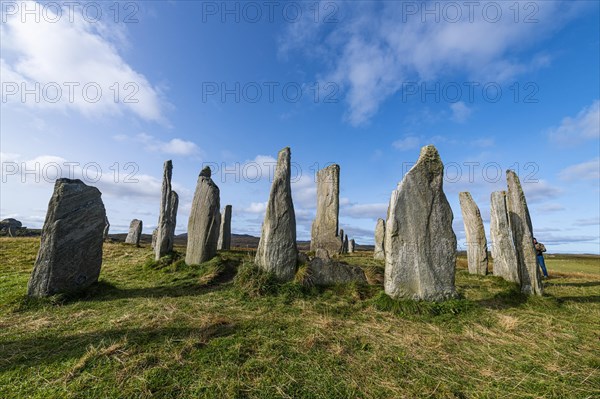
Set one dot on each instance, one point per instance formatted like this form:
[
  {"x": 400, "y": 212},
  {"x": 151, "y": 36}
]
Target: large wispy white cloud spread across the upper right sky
[{"x": 380, "y": 48}]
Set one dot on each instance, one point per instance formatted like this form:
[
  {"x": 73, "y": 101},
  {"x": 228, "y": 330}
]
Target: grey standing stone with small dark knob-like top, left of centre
[{"x": 205, "y": 220}]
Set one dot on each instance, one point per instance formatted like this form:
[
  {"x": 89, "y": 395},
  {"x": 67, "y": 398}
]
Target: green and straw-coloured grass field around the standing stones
[{"x": 223, "y": 329}]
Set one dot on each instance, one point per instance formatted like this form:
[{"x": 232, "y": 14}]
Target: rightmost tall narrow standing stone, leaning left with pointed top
[{"x": 520, "y": 223}]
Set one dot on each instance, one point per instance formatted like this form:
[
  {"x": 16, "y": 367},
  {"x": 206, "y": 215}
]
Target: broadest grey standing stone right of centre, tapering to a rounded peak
[{"x": 420, "y": 245}]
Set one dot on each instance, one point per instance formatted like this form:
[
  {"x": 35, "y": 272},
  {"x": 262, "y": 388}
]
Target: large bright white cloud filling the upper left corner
[{"x": 69, "y": 61}]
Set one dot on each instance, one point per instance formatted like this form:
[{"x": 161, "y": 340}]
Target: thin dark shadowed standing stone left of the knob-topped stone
[{"x": 167, "y": 219}]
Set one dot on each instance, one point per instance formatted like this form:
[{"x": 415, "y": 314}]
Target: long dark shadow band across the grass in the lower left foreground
[{"x": 46, "y": 349}]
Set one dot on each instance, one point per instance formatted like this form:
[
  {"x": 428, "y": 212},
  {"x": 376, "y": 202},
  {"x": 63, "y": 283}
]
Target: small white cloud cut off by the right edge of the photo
[{"x": 584, "y": 126}]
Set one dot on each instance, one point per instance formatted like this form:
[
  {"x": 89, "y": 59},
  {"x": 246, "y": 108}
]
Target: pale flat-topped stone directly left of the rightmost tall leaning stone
[{"x": 504, "y": 254}]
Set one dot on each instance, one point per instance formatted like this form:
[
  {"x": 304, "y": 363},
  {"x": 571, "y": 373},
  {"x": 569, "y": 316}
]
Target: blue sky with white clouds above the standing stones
[{"x": 107, "y": 91}]
